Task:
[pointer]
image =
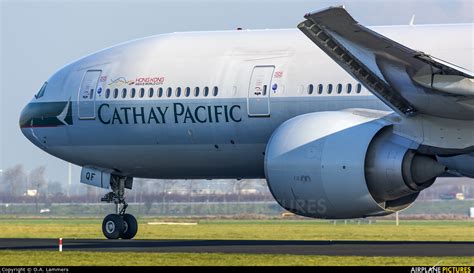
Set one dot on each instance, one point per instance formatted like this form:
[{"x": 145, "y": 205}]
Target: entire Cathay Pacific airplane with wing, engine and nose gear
[{"x": 342, "y": 120}]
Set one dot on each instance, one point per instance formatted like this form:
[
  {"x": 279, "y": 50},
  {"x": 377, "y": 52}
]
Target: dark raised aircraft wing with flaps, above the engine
[{"x": 407, "y": 80}]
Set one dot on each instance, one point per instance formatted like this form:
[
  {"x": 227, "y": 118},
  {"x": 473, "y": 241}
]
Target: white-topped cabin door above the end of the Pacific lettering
[{"x": 258, "y": 100}]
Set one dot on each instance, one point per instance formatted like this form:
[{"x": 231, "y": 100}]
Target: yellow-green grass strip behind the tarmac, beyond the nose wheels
[{"x": 425, "y": 230}]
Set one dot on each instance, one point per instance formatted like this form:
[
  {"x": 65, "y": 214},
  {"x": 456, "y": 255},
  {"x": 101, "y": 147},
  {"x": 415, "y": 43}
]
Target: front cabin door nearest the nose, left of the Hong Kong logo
[{"x": 86, "y": 95}]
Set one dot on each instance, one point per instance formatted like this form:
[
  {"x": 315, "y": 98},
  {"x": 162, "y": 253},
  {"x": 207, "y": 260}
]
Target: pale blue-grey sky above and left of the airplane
[{"x": 39, "y": 37}]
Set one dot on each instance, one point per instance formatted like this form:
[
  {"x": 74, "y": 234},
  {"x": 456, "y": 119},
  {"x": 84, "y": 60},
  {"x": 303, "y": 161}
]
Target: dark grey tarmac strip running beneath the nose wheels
[{"x": 323, "y": 247}]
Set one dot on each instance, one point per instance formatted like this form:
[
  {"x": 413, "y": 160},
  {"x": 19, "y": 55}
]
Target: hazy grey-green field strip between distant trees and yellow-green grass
[{"x": 426, "y": 208}]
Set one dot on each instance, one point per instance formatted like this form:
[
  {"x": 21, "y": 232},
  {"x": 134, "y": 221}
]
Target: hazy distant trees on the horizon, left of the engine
[{"x": 20, "y": 186}]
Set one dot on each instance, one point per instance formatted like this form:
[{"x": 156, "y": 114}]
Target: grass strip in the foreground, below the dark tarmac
[{"x": 46, "y": 258}]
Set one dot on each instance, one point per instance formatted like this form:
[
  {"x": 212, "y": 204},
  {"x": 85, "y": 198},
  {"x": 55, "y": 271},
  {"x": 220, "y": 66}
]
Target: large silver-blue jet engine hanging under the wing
[{"x": 344, "y": 164}]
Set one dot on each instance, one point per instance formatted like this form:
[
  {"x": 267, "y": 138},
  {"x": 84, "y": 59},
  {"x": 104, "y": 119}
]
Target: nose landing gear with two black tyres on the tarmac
[{"x": 121, "y": 224}]
